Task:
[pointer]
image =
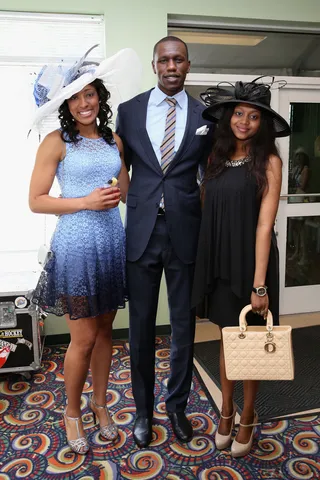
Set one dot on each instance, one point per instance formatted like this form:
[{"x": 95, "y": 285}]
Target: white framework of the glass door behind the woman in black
[{"x": 293, "y": 84}]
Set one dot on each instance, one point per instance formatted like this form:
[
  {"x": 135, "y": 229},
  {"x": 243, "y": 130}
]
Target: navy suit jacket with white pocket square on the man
[{"x": 179, "y": 183}]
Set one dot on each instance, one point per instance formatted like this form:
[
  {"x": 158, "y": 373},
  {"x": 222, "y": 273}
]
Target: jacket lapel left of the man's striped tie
[{"x": 141, "y": 116}]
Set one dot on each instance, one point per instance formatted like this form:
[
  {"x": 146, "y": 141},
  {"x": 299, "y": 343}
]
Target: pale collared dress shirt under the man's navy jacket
[{"x": 156, "y": 118}]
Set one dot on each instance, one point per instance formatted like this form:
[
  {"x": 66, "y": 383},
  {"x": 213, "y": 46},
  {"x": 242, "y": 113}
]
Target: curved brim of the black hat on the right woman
[{"x": 215, "y": 112}]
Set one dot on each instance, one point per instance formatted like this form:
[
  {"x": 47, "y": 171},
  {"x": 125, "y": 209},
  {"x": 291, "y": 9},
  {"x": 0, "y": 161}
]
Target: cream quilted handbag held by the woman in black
[{"x": 257, "y": 352}]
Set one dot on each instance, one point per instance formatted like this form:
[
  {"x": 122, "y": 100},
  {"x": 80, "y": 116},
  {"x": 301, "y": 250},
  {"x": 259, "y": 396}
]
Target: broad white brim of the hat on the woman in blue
[{"x": 121, "y": 74}]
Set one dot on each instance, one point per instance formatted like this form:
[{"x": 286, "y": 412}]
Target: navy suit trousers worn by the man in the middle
[{"x": 144, "y": 276}]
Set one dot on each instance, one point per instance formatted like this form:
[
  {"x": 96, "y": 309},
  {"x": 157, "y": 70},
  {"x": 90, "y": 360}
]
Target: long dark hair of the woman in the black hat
[{"x": 261, "y": 146}]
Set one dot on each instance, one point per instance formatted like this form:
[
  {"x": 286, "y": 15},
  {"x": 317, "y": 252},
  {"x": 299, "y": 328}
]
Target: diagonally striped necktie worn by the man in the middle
[{"x": 167, "y": 148}]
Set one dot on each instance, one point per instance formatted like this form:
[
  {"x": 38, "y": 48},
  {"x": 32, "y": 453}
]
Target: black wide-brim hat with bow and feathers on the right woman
[{"x": 251, "y": 93}]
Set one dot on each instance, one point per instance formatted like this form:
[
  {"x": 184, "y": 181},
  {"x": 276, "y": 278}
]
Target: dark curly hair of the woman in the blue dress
[{"x": 69, "y": 131}]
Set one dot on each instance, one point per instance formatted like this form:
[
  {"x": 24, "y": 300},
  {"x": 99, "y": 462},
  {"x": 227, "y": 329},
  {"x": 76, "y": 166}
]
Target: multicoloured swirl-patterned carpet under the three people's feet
[{"x": 33, "y": 446}]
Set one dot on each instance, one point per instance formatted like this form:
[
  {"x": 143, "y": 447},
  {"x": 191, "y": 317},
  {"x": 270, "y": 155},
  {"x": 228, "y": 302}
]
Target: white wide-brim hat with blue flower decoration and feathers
[{"x": 120, "y": 73}]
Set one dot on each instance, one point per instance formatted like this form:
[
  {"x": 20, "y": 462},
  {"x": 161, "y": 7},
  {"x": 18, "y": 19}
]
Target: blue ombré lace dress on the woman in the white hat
[{"x": 85, "y": 275}]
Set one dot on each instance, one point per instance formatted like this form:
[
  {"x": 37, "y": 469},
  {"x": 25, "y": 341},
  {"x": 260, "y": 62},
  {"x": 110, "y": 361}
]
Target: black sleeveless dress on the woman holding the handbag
[{"x": 225, "y": 263}]
